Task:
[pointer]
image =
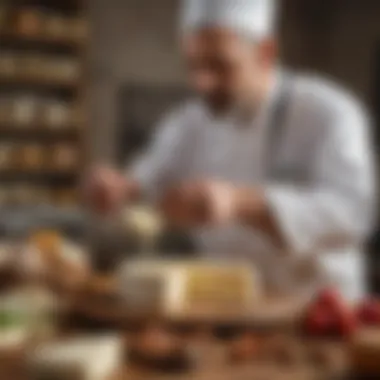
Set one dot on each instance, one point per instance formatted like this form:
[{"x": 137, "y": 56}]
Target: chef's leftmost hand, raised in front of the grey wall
[{"x": 105, "y": 190}]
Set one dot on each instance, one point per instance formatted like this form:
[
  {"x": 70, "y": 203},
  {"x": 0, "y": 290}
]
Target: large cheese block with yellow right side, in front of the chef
[{"x": 173, "y": 287}]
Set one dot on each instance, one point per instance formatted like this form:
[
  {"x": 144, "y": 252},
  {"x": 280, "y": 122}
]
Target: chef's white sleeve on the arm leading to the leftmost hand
[{"x": 162, "y": 162}]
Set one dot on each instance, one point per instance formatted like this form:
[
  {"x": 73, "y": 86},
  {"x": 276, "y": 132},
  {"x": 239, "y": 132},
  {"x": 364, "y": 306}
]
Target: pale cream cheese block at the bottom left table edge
[{"x": 82, "y": 358}]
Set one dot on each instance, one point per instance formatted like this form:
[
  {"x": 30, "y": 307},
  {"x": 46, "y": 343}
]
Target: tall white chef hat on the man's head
[{"x": 255, "y": 18}]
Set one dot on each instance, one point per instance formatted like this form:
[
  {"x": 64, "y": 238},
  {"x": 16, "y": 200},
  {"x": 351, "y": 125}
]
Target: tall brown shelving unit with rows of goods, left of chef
[{"x": 43, "y": 47}]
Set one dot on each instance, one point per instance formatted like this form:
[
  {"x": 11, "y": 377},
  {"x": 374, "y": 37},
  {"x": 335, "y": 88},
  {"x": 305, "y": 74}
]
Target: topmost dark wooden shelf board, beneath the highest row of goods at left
[{"x": 54, "y": 41}]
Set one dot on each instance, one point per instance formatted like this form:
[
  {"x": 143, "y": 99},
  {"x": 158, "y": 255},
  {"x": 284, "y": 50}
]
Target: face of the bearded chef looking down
[{"x": 224, "y": 67}]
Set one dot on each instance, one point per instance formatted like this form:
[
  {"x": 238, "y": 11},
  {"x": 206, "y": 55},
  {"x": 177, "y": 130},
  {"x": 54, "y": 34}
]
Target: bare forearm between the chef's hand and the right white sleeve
[{"x": 254, "y": 211}]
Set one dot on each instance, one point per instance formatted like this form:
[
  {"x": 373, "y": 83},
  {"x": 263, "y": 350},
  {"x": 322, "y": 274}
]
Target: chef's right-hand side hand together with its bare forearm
[{"x": 214, "y": 203}]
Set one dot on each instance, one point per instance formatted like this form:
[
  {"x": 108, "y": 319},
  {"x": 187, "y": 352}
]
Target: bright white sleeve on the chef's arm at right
[{"x": 337, "y": 209}]
